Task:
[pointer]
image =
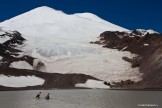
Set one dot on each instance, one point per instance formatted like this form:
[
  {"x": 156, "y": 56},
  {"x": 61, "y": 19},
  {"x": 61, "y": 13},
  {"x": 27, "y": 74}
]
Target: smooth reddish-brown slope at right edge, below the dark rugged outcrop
[{"x": 152, "y": 69}]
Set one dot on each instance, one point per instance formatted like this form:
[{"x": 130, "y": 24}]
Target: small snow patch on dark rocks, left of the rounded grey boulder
[{"x": 21, "y": 65}]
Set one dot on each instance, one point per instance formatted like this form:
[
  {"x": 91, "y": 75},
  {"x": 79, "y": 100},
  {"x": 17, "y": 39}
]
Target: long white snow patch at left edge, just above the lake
[{"x": 21, "y": 81}]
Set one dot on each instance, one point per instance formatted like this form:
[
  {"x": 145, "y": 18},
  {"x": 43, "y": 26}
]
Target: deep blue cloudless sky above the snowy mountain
[{"x": 131, "y": 14}]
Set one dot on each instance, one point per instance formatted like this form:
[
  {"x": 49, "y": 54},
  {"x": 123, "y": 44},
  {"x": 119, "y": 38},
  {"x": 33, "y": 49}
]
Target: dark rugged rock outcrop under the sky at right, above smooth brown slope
[{"x": 129, "y": 41}]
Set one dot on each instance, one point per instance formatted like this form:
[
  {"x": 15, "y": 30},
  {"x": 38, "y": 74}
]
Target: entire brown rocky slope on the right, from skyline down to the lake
[{"x": 148, "y": 47}]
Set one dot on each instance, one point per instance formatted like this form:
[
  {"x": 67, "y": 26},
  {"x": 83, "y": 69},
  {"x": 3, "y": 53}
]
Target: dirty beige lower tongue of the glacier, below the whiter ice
[{"x": 107, "y": 65}]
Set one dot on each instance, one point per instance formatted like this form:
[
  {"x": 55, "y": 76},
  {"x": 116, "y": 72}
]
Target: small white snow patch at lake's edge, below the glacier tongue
[{"x": 93, "y": 84}]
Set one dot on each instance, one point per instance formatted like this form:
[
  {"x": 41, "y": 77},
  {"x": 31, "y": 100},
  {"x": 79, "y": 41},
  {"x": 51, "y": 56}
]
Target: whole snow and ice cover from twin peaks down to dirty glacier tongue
[{"x": 61, "y": 42}]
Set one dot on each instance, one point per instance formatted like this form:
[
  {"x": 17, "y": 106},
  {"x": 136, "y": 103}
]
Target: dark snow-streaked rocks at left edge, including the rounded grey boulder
[{"x": 10, "y": 53}]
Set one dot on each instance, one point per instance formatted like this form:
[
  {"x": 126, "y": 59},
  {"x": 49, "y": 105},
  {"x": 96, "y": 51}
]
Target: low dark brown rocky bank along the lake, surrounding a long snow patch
[{"x": 52, "y": 80}]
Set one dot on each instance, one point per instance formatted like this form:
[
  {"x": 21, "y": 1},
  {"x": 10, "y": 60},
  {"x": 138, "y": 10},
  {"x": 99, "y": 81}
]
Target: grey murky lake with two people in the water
[{"x": 81, "y": 98}]
